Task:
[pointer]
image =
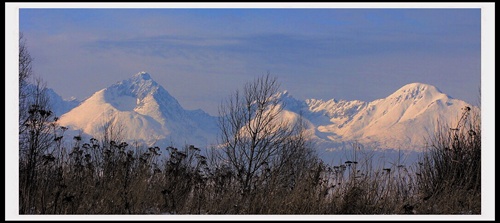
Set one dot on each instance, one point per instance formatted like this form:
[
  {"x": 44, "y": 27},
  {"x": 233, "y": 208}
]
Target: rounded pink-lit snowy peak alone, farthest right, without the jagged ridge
[{"x": 404, "y": 118}]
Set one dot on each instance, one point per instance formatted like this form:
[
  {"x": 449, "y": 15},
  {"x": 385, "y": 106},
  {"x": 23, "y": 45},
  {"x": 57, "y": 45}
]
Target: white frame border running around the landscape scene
[{"x": 487, "y": 105}]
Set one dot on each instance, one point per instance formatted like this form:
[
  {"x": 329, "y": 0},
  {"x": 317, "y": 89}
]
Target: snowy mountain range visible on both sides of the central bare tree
[{"x": 147, "y": 113}]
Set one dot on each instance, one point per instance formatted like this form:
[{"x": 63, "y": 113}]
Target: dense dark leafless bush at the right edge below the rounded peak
[{"x": 449, "y": 177}]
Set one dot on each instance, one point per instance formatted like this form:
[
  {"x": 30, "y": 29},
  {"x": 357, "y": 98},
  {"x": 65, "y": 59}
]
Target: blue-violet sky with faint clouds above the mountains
[{"x": 202, "y": 55}]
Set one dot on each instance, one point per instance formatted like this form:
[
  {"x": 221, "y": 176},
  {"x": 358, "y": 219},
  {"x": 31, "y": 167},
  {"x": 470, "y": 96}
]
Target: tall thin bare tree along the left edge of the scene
[{"x": 36, "y": 130}]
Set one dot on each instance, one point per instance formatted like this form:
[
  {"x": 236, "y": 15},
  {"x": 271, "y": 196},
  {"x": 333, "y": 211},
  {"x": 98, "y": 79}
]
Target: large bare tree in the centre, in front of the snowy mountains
[{"x": 253, "y": 134}]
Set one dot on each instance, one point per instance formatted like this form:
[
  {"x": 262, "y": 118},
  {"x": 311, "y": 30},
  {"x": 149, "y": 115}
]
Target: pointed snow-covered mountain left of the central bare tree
[{"x": 144, "y": 112}]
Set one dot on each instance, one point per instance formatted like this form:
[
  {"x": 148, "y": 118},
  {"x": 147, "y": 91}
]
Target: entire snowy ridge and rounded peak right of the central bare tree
[{"x": 403, "y": 120}]
